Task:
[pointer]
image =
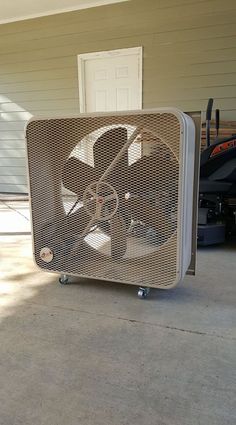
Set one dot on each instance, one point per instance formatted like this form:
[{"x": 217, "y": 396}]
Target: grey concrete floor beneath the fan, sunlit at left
[{"x": 94, "y": 354}]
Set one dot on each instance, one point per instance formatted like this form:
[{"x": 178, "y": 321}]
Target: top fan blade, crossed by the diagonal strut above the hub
[{"x": 105, "y": 149}]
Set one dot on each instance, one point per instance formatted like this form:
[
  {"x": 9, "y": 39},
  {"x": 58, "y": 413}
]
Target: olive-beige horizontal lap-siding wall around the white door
[{"x": 189, "y": 55}]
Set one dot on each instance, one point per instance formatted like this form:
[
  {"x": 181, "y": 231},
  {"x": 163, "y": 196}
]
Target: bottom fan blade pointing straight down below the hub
[{"x": 118, "y": 236}]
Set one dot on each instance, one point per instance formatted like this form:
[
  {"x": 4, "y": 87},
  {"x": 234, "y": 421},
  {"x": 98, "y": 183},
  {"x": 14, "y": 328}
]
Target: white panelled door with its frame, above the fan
[{"x": 111, "y": 81}]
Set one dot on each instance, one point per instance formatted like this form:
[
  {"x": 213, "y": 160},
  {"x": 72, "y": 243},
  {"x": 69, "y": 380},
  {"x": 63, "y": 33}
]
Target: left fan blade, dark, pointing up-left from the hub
[{"x": 77, "y": 175}]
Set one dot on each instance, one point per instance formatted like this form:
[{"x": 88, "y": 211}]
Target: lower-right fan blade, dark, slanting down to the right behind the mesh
[{"x": 155, "y": 217}]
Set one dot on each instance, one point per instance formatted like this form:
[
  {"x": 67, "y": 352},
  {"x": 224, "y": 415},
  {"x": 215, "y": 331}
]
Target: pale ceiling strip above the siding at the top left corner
[{"x": 17, "y": 10}]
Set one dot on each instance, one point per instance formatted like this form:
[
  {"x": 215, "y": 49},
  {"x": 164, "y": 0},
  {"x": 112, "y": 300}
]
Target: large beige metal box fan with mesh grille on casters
[{"x": 111, "y": 196}]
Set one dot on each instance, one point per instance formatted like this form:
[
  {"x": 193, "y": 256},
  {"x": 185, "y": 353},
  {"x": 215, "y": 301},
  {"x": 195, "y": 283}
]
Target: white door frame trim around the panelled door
[{"x": 137, "y": 51}]
